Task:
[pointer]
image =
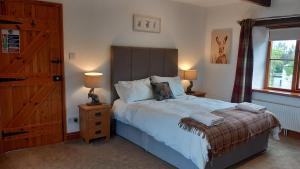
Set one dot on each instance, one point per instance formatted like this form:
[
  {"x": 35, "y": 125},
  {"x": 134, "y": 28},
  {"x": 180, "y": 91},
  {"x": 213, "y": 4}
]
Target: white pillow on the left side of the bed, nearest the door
[{"x": 131, "y": 91}]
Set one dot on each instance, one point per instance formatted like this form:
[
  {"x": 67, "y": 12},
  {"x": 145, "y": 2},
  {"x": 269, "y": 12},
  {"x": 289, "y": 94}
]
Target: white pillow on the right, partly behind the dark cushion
[{"x": 174, "y": 82}]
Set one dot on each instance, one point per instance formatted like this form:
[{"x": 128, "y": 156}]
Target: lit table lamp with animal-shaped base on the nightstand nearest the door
[{"x": 92, "y": 80}]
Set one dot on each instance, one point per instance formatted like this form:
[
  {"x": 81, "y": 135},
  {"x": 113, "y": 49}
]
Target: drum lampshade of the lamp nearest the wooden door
[{"x": 92, "y": 79}]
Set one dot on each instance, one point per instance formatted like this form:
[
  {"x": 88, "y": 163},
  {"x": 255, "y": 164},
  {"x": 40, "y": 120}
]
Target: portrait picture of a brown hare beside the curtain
[{"x": 221, "y": 46}]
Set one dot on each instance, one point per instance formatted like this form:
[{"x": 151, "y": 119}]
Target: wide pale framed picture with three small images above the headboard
[{"x": 143, "y": 23}]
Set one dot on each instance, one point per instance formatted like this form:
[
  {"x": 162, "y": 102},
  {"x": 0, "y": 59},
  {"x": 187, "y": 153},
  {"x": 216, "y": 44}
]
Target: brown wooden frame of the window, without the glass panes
[{"x": 296, "y": 74}]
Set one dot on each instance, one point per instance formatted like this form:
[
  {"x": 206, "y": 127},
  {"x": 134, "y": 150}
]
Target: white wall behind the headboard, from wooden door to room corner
[{"x": 92, "y": 26}]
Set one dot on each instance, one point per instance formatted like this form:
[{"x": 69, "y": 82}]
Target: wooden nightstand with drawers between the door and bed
[{"x": 94, "y": 121}]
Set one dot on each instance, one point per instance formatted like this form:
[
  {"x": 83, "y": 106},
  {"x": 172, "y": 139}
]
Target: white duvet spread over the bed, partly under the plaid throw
[{"x": 160, "y": 120}]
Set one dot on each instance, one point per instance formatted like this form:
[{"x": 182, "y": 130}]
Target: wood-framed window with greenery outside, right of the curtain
[{"x": 283, "y": 66}]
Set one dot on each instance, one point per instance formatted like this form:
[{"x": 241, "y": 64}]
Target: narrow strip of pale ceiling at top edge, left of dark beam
[{"x": 207, "y": 3}]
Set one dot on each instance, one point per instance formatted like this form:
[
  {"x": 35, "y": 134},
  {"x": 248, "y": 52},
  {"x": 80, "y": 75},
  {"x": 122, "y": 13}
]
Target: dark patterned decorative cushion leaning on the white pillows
[{"x": 162, "y": 91}]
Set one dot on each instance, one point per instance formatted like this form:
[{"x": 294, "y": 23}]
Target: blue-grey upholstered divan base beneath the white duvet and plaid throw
[{"x": 148, "y": 143}]
